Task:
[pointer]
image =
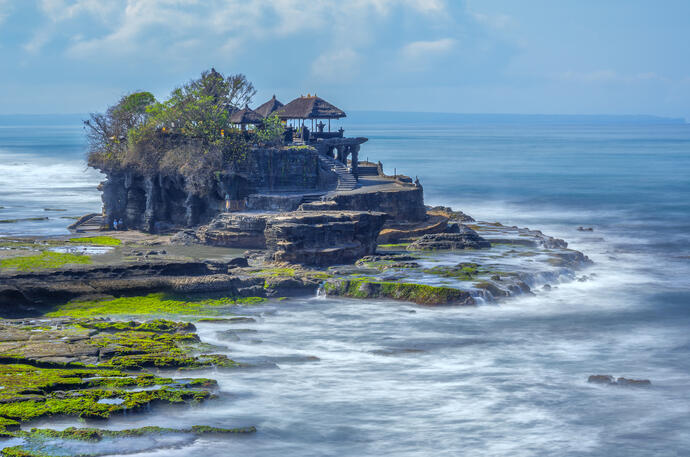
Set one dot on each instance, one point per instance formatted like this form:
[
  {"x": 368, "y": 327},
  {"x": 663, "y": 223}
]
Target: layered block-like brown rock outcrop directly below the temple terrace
[{"x": 300, "y": 237}]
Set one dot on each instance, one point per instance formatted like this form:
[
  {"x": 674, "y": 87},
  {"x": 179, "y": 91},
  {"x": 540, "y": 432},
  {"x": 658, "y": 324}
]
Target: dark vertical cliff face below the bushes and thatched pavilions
[{"x": 158, "y": 202}]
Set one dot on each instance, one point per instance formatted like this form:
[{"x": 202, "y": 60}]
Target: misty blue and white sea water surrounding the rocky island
[{"x": 337, "y": 377}]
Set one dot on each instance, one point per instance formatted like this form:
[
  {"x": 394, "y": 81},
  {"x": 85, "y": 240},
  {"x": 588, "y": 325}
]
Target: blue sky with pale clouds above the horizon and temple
[{"x": 471, "y": 56}]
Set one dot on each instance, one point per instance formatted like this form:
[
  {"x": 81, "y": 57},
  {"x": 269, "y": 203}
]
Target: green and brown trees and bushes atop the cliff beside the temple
[{"x": 187, "y": 135}]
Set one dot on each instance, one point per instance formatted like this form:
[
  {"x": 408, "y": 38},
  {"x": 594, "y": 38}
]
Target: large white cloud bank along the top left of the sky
[{"x": 127, "y": 23}]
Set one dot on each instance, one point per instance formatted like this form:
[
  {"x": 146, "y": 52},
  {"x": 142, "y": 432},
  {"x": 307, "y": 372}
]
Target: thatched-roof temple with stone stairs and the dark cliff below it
[{"x": 313, "y": 166}]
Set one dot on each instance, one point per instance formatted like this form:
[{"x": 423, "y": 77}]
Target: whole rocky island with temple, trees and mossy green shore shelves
[{"x": 209, "y": 207}]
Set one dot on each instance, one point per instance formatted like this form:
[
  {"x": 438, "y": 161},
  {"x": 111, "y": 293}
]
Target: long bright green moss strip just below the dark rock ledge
[{"x": 152, "y": 304}]
